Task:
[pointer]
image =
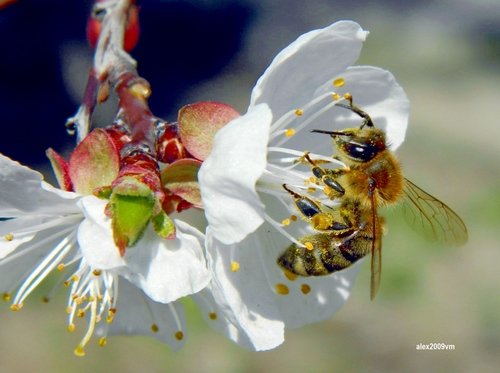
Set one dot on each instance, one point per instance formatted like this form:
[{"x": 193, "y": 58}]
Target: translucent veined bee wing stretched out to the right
[{"x": 428, "y": 215}]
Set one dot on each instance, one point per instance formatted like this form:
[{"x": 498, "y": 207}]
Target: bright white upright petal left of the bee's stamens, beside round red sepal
[{"x": 228, "y": 176}]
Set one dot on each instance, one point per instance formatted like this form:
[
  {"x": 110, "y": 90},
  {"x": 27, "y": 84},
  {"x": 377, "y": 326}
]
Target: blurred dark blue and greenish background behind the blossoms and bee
[{"x": 445, "y": 54}]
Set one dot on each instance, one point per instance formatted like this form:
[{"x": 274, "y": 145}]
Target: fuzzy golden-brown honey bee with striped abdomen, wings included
[{"x": 372, "y": 178}]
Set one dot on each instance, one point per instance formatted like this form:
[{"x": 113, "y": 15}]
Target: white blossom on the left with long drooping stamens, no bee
[{"x": 47, "y": 230}]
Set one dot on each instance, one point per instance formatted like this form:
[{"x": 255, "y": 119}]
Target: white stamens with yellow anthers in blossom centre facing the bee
[{"x": 289, "y": 169}]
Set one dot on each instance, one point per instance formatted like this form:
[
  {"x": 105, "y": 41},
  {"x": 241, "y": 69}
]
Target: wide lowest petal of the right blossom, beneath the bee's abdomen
[{"x": 250, "y": 297}]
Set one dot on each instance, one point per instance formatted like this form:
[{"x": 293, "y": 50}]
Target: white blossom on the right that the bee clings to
[{"x": 251, "y": 217}]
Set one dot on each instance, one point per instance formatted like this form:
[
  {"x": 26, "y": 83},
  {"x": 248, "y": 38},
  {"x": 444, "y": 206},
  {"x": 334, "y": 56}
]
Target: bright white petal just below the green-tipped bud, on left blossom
[{"x": 168, "y": 269}]
